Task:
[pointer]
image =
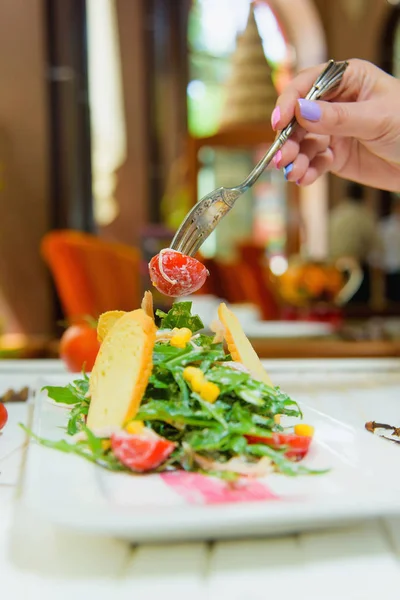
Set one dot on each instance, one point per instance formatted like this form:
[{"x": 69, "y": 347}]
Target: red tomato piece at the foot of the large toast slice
[{"x": 141, "y": 452}]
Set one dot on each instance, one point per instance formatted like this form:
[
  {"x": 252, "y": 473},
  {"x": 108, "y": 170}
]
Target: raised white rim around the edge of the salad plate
[{"x": 236, "y": 515}]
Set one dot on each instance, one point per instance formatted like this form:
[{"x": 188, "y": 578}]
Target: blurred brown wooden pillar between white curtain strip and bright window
[{"x": 152, "y": 37}]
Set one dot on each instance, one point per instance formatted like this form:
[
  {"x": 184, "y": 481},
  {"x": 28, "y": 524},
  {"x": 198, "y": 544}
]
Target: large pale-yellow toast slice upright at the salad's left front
[{"x": 121, "y": 372}]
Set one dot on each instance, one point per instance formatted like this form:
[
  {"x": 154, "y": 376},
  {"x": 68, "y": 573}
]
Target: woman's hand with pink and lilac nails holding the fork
[{"x": 355, "y": 135}]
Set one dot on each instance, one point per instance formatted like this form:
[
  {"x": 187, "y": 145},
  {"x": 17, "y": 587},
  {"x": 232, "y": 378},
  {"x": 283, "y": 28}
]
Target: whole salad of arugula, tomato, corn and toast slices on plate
[{"x": 165, "y": 396}]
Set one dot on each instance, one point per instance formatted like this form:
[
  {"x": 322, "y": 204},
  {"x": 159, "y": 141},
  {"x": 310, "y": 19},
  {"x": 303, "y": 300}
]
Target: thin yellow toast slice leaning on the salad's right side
[{"x": 240, "y": 347}]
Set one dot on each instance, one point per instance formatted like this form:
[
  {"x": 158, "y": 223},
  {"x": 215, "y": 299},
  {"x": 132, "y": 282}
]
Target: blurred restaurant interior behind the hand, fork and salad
[{"x": 117, "y": 115}]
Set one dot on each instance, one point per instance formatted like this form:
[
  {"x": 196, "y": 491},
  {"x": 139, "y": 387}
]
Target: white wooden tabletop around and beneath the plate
[{"x": 358, "y": 562}]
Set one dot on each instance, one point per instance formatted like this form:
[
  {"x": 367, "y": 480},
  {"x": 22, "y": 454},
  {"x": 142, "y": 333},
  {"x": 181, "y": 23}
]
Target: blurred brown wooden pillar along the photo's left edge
[{"x": 25, "y": 297}]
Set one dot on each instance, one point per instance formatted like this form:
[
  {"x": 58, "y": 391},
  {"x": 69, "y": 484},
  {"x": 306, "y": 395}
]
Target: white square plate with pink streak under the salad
[{"x": 73, "y": 493}]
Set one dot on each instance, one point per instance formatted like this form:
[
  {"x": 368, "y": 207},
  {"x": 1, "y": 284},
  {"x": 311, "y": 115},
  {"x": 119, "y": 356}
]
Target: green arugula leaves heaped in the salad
[{"x": 215, "y": 431}]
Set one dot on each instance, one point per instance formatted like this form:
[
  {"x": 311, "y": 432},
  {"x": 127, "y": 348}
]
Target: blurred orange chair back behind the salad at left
[{"x": 91, "y": 275}]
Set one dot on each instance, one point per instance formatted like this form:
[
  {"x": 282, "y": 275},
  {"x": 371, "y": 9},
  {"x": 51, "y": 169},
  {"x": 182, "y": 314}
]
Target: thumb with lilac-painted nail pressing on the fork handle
[{"x": 349, "y": 119}]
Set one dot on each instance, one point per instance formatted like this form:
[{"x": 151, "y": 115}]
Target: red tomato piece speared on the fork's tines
[{"x": 175, "y": 274}]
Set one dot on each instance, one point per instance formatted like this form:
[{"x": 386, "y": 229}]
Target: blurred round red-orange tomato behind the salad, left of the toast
[{"x": 79, "y": 347}]
